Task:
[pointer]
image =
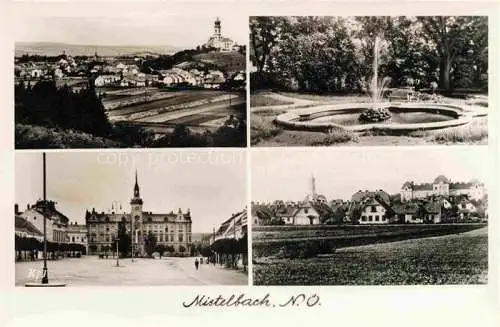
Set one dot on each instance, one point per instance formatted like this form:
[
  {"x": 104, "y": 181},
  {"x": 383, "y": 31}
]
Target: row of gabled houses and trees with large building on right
[{"x": 436, "y": 202}]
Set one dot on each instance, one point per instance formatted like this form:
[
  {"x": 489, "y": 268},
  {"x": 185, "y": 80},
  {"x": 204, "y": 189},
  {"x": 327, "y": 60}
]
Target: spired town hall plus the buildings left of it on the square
[{"x": 170, "y": 229}]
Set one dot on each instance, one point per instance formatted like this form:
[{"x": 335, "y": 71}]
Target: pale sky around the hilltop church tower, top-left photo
[{"x": 132, "y": 28}]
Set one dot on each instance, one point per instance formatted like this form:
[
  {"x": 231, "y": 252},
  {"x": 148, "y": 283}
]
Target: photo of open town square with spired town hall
[{"x": 134, "y": 218}]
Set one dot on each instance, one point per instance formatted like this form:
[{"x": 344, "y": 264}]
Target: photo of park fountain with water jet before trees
[{"x": 370, "y": 80}]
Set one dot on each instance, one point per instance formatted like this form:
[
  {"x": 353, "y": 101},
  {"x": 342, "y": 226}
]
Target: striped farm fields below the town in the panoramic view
[{"x": 160, "y": 110}]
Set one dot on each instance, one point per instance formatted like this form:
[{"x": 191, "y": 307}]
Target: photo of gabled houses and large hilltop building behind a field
[{"x": 391, "y": 216}]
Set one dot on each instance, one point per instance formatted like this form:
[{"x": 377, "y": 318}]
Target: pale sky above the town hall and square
[{"x": 211, "y": 184}]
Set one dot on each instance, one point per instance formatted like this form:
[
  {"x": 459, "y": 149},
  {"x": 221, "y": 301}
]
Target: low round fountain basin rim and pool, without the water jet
[{"x": 406, "y": 117}]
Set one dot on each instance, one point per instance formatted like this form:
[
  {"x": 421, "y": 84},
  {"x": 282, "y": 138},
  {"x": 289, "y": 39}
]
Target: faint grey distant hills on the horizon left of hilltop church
[{"x": 54, "y": 49}]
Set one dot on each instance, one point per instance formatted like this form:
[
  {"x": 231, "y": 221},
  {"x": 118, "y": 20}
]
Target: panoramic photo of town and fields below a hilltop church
[{"x": 124, "y": 81}]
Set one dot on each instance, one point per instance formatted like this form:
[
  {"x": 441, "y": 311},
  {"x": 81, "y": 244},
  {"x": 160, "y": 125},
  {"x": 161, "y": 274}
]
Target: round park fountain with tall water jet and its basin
[{"x": 397, "y": 117}]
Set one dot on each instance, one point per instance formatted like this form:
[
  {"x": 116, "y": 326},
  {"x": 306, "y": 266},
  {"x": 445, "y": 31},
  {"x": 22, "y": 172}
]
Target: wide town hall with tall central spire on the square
[{"x": 171, "y": 229}]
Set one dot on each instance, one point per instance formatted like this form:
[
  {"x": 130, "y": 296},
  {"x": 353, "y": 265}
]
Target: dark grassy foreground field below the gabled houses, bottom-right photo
[{"x": 451, "y": 259}]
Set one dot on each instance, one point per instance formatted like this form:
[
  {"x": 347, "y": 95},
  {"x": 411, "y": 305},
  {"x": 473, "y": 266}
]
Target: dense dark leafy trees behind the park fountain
[{"x": 335, "y": 54}]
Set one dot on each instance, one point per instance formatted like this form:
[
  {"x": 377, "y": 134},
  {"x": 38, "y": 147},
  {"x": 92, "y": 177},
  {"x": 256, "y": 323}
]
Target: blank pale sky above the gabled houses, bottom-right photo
[{"x": 284, "y": 174}]
